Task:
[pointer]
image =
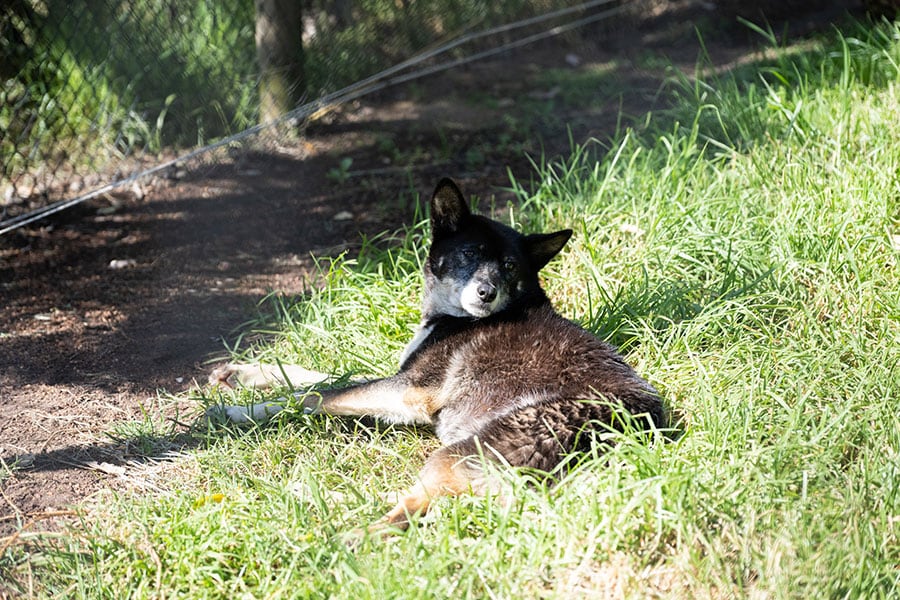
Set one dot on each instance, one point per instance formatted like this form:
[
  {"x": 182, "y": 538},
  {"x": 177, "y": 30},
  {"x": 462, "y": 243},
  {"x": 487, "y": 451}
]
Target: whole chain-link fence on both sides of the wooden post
[{"x": 97, "y": 93}]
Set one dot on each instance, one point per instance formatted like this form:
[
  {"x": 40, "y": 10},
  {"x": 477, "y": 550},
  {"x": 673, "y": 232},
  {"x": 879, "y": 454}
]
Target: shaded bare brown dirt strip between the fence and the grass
[{"x": 85, "y": 345}]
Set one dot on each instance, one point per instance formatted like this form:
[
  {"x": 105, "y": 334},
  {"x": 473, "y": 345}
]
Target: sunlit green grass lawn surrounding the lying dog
[{"x": 742, "y": 250}]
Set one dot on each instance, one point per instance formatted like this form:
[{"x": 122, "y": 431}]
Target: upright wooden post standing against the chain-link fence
[{"x": 279, "y": 50}]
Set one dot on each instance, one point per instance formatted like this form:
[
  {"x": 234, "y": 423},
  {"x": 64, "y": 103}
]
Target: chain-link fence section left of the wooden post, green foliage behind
[{"x": 95, "y": 89}]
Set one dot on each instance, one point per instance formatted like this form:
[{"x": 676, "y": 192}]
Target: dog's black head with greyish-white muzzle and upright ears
[{"x": 478, "y": 267}]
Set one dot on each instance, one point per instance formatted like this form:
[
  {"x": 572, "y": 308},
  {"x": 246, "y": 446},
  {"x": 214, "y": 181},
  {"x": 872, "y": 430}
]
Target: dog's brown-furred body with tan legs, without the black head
[{"x": 467, "y": 385}]
